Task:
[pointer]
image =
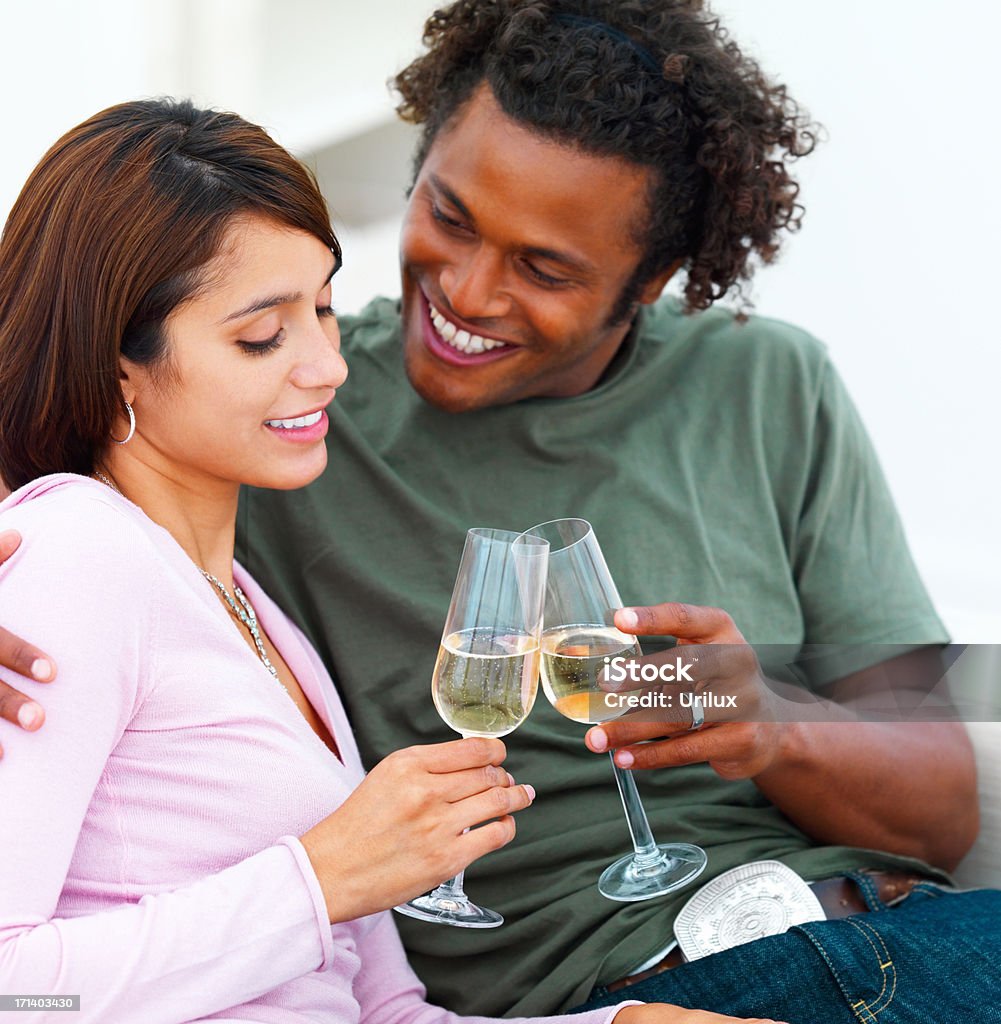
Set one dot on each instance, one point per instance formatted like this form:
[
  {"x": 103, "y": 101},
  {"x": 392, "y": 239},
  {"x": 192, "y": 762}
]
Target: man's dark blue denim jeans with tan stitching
[{"x": 933, "y": 959}]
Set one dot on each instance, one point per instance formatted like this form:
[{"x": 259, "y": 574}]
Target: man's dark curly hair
[{"x": 656, "y": 82}]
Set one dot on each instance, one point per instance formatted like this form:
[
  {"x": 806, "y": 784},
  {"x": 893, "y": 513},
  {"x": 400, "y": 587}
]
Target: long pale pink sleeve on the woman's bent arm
[{"x": 83, "y": 585}]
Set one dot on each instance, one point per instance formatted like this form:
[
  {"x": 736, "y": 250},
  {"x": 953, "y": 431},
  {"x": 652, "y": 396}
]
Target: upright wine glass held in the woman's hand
[{"x": 487, "y": 675}]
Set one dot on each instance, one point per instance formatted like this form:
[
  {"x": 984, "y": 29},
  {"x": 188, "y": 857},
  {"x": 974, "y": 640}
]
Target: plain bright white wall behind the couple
[{"x": 895, "y": 269}]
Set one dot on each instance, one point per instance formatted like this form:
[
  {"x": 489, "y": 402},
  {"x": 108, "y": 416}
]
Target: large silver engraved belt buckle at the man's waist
[{"x": 746, "y": 904}]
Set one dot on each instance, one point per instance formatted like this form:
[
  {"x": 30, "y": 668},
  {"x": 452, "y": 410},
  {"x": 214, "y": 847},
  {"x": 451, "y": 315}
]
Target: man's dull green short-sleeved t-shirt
[{"x": 721, "y": 464}]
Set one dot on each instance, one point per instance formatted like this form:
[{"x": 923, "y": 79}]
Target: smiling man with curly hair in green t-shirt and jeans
[{"x": 575, "y": 158}]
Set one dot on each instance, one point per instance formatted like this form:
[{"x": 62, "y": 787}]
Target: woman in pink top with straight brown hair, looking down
[{"x": 165, "y": 336}]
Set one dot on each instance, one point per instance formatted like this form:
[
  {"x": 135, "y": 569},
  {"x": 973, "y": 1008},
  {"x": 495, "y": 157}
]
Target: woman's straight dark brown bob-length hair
[{"x": 107, "y": 239}]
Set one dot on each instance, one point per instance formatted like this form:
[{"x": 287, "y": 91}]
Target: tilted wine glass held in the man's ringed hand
[{"x": 579, "y": 641}]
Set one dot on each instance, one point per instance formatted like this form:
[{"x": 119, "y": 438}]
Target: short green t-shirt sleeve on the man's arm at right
[{"x": 863, "y": 601}]
